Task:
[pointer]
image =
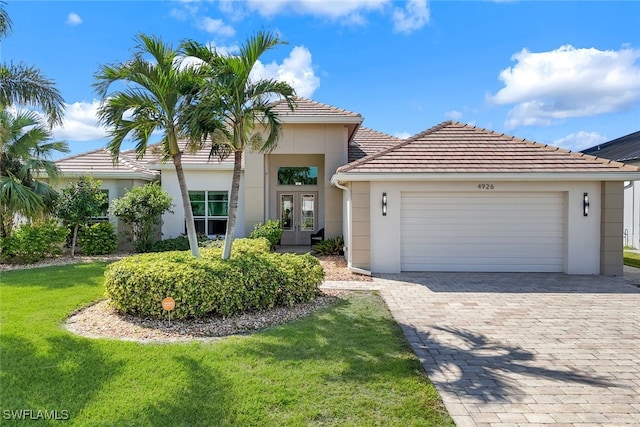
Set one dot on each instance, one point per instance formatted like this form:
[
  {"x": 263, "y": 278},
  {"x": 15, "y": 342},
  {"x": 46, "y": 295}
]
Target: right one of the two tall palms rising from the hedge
[{"x": 245, "y": 105}]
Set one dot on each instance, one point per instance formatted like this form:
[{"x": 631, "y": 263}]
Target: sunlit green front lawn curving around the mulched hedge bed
[{"x": 346, "y": 365}]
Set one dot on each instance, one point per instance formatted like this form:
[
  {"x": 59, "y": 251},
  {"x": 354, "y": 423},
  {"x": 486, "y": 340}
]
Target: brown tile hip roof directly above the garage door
[{"x": 453, "y": 147}]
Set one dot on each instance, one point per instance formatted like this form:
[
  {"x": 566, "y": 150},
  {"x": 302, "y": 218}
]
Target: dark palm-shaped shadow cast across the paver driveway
[{"x": 483, "y": 368}]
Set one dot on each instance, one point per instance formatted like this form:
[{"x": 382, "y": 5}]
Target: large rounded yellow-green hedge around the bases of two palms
[{"x": 252, "y": 279}]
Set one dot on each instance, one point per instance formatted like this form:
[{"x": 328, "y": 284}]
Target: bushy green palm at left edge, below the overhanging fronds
[{"x": 25, "y": 151}]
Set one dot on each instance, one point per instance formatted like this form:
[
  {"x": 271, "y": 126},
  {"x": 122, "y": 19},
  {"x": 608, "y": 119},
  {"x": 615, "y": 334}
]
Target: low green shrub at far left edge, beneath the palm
[{"x": 31, "y": 243}]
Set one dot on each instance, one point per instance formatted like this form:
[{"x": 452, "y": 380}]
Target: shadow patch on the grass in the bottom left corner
[{"x": 38, "y": 379}]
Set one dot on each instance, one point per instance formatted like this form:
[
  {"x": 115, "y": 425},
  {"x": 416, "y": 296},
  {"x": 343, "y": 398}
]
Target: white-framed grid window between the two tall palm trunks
[{"x": 210, "y": 211}]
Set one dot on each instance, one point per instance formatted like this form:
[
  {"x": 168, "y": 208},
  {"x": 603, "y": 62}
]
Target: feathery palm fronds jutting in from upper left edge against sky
[{"x": 25, "y": 85}]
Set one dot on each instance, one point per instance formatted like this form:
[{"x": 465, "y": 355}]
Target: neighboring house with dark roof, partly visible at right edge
[{"x": 625, "y": 149}]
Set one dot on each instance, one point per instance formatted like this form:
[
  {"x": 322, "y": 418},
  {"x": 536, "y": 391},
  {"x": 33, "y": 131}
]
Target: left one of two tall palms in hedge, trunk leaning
[{"x": 151, "y": 99}]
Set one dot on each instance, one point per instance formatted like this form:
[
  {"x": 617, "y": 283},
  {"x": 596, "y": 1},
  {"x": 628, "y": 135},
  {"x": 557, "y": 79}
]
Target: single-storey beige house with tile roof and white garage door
[{"x": 452, "y": 198}]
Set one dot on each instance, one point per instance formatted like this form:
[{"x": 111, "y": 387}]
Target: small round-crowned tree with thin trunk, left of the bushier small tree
[{"x": 79, "y": 202}]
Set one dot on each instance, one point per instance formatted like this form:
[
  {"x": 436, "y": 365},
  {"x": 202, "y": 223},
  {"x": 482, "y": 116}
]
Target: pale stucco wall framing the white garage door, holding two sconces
[{"x": 582, "y": 233}]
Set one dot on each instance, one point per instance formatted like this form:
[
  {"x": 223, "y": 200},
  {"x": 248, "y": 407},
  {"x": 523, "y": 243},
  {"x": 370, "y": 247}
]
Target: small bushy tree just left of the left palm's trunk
[{"x": 141, "y": 209}]
